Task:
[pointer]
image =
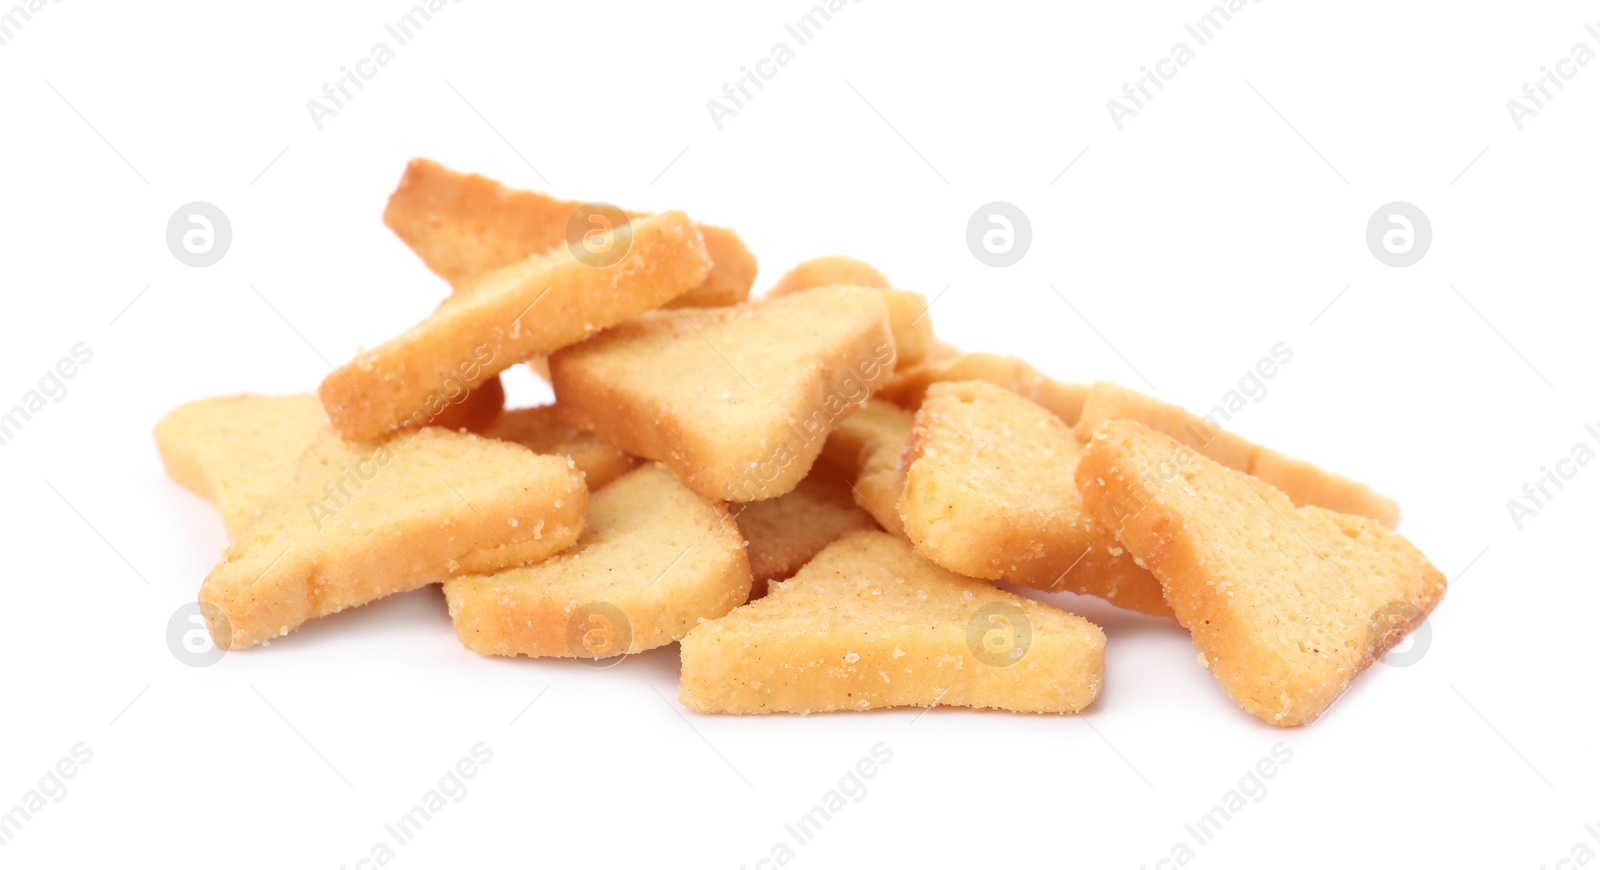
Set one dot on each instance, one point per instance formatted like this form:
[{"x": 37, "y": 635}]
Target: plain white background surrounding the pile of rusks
[{"x": 1170, "y": 257}]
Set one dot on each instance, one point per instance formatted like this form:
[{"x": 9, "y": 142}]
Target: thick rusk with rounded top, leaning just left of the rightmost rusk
[{"x": 991, "y": 493}]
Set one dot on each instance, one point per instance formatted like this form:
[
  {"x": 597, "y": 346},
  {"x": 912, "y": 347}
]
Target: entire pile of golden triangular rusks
[{"x": 809, "y": 492}]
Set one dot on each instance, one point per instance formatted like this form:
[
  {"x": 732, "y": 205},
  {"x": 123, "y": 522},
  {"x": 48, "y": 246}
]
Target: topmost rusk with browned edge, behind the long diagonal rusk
[{"x": 466, "y": 226}]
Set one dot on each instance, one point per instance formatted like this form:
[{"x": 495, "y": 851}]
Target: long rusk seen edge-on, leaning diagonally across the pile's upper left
[{"x": 521, "y": 311}]
